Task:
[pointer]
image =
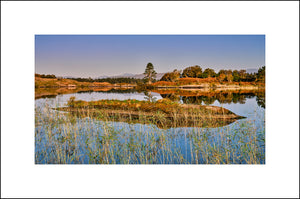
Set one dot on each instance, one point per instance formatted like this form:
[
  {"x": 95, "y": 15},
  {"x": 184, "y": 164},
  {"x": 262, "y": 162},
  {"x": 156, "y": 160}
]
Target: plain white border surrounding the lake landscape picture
[{"x": 20, "y": 21}]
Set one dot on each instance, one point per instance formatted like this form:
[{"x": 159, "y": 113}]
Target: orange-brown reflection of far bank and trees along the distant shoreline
[{"x": 180, "y": 95}]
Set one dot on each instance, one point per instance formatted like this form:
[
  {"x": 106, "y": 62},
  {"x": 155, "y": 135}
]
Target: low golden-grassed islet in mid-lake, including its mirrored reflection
[{"x": 162, "y": 113}]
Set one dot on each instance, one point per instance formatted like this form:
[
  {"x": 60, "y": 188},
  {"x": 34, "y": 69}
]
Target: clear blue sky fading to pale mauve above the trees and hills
[{"x": 97, "y": 55}]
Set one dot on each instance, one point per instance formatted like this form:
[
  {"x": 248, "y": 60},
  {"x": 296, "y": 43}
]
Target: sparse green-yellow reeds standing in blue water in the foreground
[{"x": 66, "y": 138}]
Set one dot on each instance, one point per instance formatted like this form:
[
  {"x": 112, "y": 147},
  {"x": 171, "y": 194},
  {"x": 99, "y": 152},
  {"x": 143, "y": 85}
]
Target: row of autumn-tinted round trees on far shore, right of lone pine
[{"x": 222, "y": 75}]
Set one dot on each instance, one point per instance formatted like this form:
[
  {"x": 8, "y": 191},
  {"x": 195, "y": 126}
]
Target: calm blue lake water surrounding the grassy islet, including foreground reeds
[{"x": 60, "y": 139}]
